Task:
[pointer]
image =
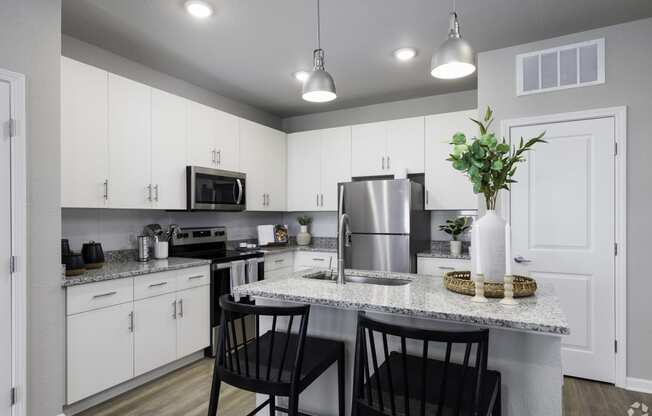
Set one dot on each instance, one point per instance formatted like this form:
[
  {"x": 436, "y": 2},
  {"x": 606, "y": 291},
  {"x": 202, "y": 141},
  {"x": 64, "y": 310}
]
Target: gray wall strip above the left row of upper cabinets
[{"x": 85, "y": 52}]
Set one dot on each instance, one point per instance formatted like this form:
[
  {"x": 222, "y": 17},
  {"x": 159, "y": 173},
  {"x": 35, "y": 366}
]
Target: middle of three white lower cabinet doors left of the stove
[{"x": 155, "y": 332}]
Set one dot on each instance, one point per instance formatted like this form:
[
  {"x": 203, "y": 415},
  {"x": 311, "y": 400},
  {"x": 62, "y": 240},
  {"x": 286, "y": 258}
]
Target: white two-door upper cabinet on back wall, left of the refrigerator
[{"x": 317, "y": 161}]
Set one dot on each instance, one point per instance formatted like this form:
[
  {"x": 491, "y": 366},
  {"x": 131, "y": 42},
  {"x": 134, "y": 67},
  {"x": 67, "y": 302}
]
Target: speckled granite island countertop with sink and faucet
[{"x": 423, "y": 297}]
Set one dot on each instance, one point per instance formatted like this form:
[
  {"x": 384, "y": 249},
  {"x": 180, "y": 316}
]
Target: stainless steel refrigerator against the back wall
[{"x": 389, "y": 224}]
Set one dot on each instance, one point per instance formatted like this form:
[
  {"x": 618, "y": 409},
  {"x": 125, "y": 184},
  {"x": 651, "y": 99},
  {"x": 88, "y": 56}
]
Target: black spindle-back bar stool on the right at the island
[{"x": 404, "y": 384}]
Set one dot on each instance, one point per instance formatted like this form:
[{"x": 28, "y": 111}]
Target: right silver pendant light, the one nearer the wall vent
[{"x": 455, "y": 57}]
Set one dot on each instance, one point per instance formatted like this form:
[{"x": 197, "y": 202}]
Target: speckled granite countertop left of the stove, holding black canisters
[{"x": 129, "y": 268}]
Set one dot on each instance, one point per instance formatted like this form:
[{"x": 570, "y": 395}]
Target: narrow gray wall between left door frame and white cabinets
[{"x": 30, "y": 43}]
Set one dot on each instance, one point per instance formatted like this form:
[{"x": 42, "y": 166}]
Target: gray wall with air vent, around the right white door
[{"x": 628, "y": 63}]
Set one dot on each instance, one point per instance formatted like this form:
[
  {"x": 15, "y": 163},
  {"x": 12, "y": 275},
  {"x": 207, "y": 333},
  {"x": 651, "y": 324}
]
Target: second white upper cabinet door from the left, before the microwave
[{"x": 130, "y": 143}]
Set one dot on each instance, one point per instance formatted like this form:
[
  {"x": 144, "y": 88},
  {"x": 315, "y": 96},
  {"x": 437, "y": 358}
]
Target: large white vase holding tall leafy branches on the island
[{"x": 489, "y": 246}]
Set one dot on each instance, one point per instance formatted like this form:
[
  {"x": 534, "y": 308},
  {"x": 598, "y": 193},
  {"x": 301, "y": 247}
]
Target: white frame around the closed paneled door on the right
[{"x": 619, "y": 115}]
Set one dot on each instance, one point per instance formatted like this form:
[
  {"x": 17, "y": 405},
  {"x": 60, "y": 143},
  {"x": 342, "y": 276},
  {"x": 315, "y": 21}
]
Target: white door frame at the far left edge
[{"x": 16, "y": 83}]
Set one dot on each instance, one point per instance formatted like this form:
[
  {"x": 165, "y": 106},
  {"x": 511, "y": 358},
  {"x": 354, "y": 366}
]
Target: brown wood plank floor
[{"x": 185, "y": 393}]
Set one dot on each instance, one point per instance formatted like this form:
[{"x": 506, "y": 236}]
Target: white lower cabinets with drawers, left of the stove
[{"x": 112, "y": 337}]
